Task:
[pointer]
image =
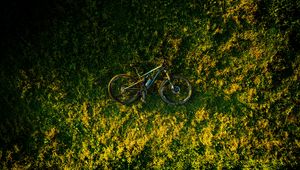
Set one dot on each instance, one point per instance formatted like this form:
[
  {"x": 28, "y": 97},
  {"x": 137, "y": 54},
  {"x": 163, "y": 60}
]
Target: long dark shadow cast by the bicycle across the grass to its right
[{"x": 209, "y": 100}]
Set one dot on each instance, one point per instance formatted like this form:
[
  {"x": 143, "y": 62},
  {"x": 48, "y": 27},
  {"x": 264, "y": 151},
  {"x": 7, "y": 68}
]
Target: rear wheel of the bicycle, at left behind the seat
[{"x": 122, "y": 88}]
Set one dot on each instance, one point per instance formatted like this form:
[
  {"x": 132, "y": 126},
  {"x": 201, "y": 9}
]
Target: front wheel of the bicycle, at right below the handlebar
[{"x": 176, "y": 91}]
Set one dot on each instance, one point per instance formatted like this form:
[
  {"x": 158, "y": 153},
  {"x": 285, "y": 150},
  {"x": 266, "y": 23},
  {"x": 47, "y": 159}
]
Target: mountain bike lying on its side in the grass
[{"x": 126, "y": 89}]
